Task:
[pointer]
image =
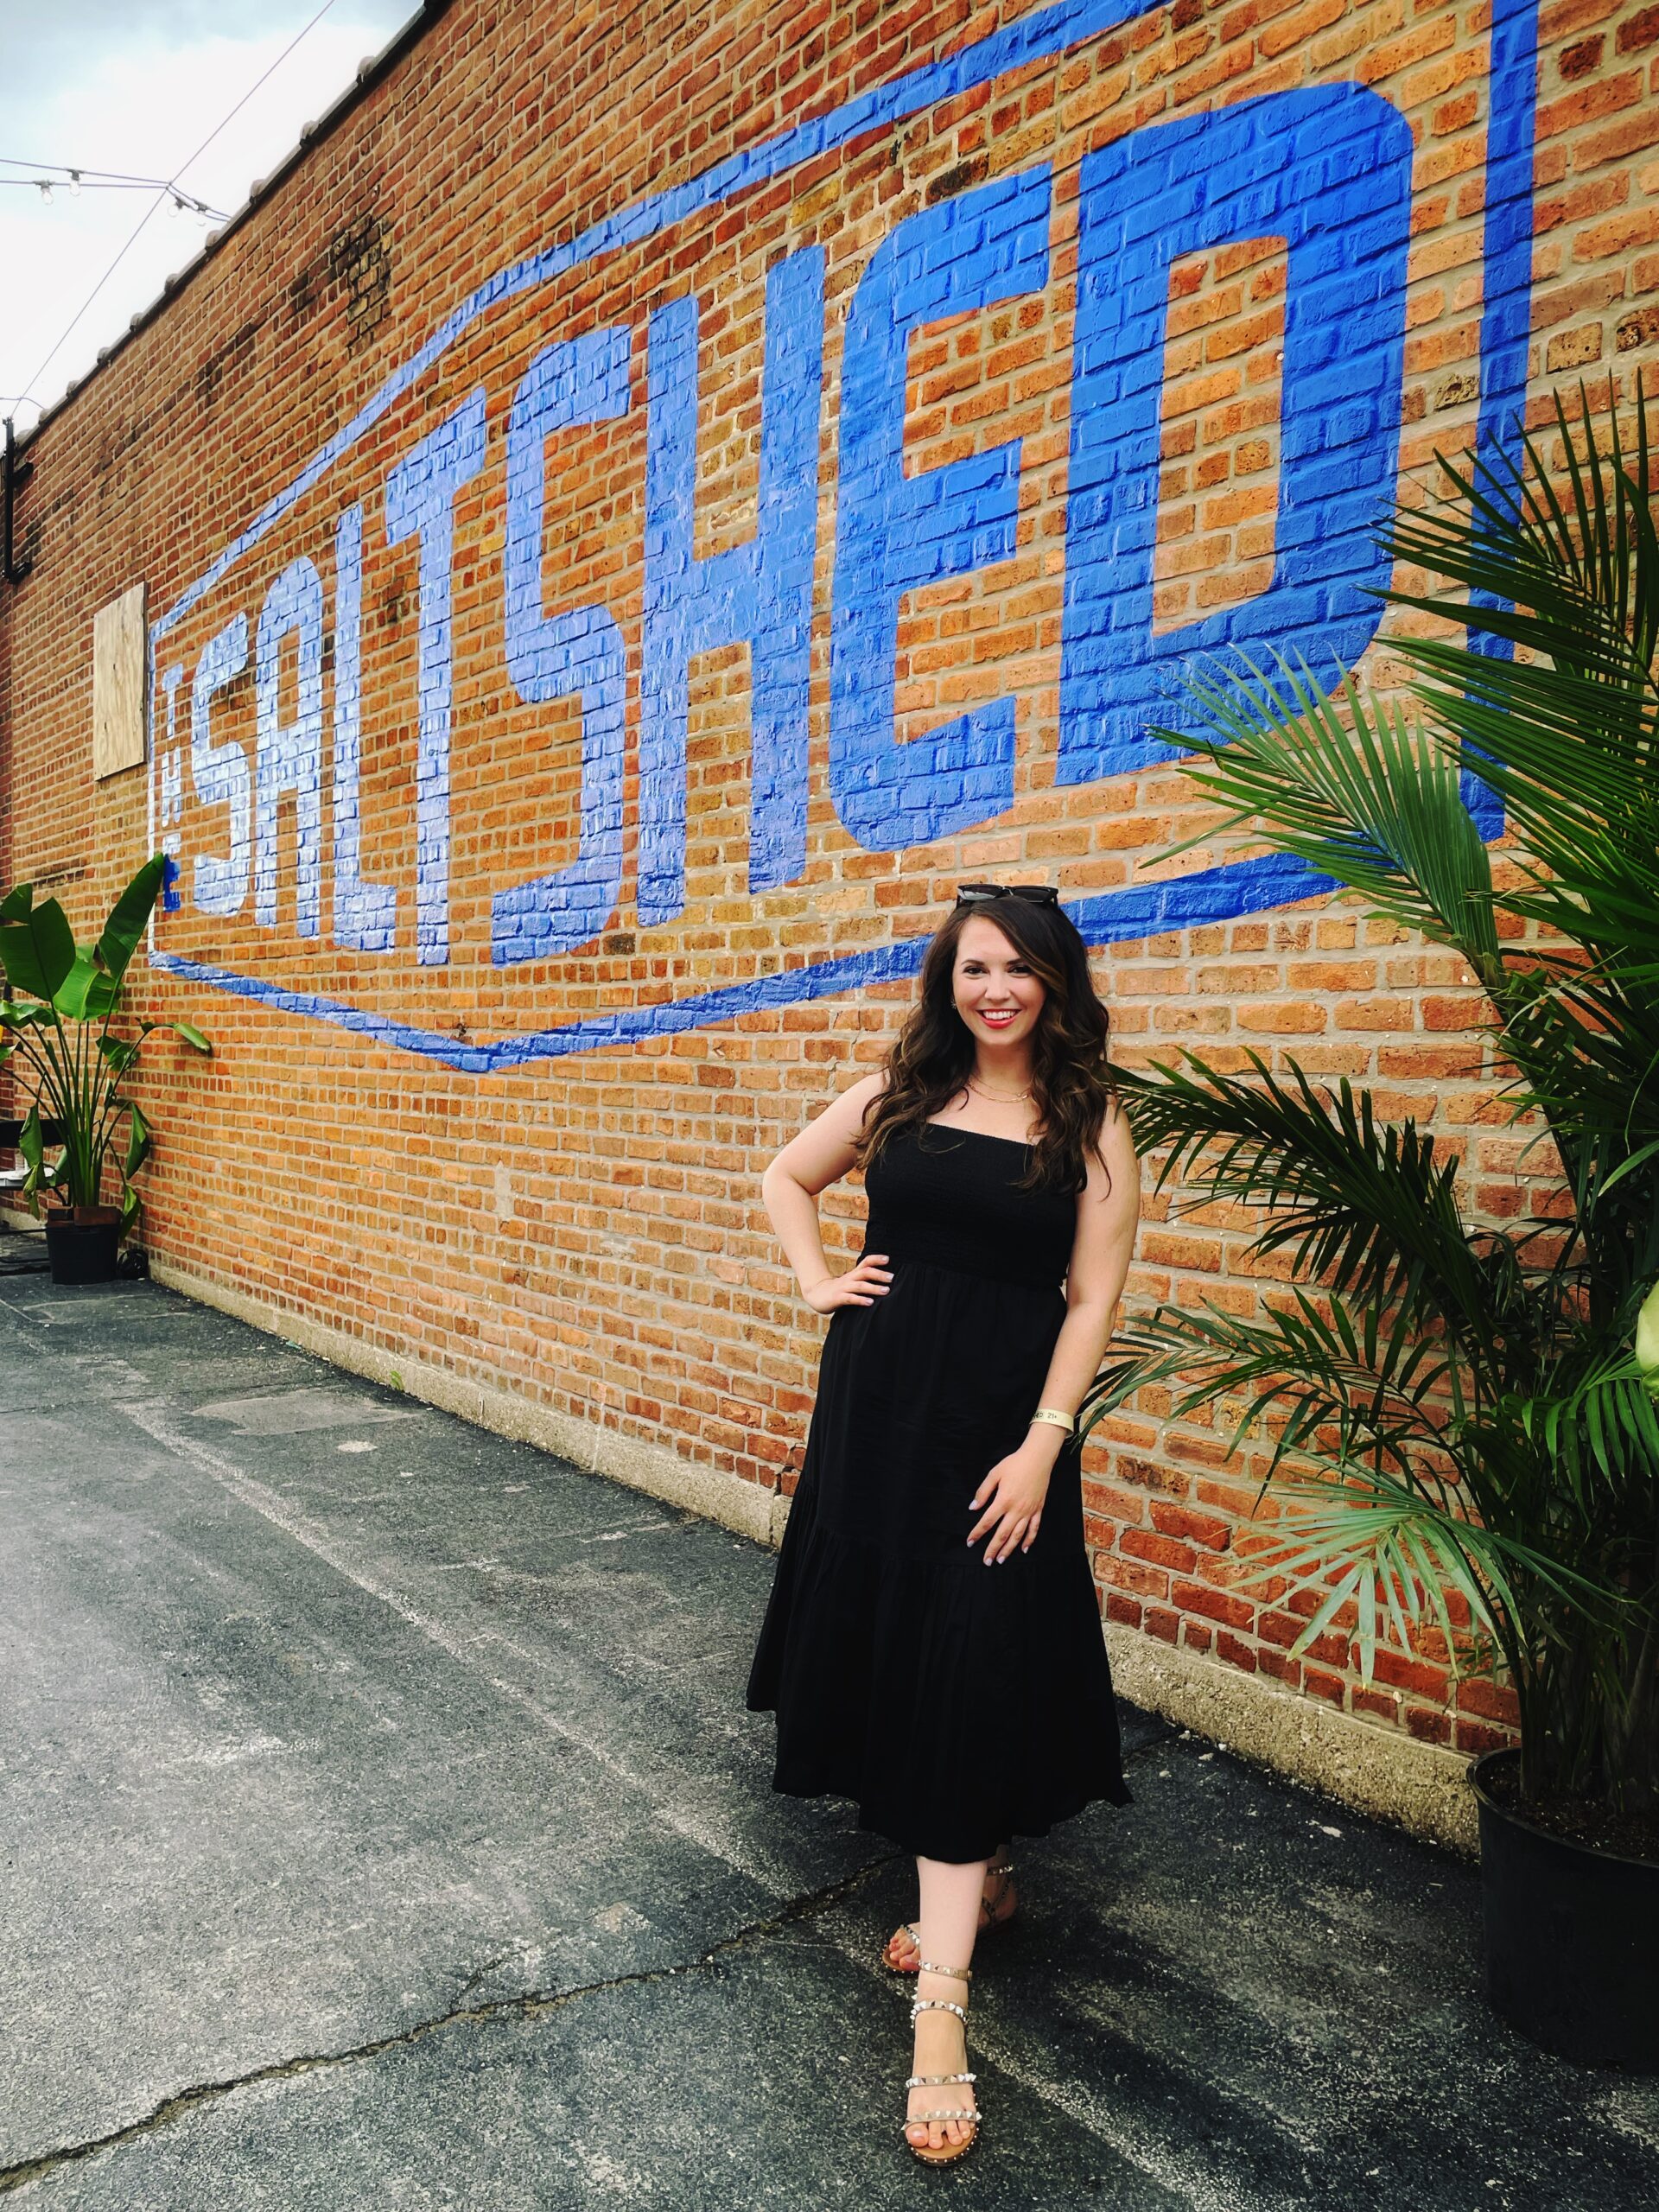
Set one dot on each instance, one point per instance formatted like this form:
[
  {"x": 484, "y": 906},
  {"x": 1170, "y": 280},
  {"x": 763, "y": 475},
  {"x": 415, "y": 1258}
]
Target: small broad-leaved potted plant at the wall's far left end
[{"x": 56, "y": 1034}]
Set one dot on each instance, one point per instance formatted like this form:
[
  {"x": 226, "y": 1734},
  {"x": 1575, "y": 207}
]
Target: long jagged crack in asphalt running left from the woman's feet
[{"x": 530, "y": 2005}]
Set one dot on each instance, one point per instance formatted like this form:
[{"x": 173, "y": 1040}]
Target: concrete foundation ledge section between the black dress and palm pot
[{"x": 1377, "y": 1771}]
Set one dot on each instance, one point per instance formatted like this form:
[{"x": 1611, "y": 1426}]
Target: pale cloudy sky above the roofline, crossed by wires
[{"x": 136, "y": 87}]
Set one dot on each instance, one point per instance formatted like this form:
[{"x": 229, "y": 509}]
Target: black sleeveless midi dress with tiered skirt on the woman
[{"x": 959, "y": 1704}]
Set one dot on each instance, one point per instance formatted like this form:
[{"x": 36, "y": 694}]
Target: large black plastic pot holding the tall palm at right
[{"x": 1572, "y": 1939}]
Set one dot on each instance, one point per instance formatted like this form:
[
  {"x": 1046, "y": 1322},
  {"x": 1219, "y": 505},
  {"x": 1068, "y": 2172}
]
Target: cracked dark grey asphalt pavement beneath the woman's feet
[{"x": 382, "y": 1826}]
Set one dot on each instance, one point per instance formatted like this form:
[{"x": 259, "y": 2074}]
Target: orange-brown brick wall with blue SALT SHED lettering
[{"x": 638, "y": 512}]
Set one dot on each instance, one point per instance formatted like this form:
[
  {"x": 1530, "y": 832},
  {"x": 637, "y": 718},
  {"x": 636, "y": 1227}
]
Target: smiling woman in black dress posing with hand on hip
[{"x": 932, "y": 1642}]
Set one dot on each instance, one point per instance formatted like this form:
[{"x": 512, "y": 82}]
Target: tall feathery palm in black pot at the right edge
[{"x": 1461, "y": 1439}]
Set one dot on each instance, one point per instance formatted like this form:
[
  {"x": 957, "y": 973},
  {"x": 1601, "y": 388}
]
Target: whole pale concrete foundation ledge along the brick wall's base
[{"x": 1370, "y": 1768}]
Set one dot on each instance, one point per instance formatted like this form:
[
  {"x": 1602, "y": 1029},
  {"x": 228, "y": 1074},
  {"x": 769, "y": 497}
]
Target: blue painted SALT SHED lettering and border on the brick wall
[{"x": 1324, "y": 169}]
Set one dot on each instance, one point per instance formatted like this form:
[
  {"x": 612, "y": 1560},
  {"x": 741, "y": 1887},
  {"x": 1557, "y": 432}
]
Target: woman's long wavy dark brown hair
[{"x": 1072, "y": 1081}]
